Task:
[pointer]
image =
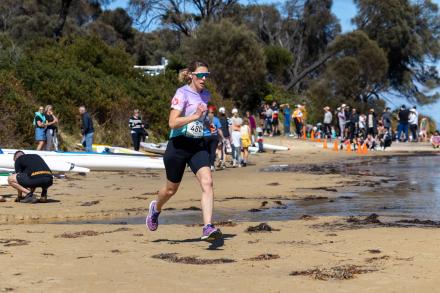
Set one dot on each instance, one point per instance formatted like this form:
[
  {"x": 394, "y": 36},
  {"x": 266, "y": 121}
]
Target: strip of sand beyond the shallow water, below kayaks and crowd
[{"x": 107, "y": 195}]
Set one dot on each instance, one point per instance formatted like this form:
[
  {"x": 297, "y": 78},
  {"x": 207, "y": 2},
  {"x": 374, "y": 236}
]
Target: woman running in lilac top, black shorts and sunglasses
[{"x": 186, "y": 146}]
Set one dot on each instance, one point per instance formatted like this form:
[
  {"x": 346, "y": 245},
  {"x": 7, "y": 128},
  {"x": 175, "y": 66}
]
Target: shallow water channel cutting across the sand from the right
[{"x": 410, "y": 188}]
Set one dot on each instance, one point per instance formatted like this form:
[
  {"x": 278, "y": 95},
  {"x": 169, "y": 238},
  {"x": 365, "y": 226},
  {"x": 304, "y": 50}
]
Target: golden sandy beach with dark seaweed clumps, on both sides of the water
[{"x": 306, "y": 254}]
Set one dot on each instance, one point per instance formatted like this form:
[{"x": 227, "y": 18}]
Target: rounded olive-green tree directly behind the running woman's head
[{"x": 235, "y": 58}]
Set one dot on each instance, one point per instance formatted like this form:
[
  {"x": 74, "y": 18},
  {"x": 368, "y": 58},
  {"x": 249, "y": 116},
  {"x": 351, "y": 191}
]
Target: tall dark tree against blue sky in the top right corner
[{"x": 409, "y": 34}]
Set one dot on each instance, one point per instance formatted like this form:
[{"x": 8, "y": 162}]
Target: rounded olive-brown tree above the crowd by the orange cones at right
[{"x": 357, "y": 74}]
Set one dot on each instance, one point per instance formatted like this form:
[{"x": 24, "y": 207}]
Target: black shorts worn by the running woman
[{"x": 183, "y": 150}]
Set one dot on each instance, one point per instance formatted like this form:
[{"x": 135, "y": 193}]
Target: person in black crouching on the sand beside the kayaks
[{"x": 30, "y": 172}]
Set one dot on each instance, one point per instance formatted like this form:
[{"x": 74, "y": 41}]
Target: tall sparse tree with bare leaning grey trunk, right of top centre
[{"x": 304, "y": 28}]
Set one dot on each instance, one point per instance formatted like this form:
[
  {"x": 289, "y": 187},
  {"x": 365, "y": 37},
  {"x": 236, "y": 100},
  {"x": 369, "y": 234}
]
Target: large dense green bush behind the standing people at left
[{"x": 85, "y": 71}]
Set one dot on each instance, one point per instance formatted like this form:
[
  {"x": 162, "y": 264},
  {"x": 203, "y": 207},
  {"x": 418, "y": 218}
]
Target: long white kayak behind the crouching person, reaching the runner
[{"x": 99, "y": 162}]
